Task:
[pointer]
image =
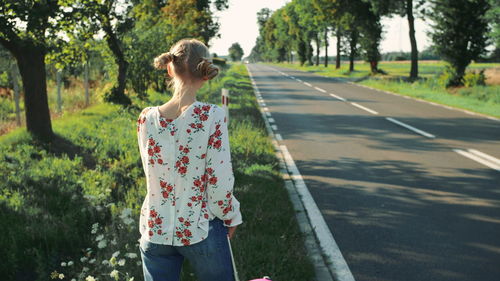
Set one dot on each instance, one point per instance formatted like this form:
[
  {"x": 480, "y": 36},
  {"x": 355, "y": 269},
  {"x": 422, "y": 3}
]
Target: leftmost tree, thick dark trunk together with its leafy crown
[{"x": 26, "y": 30}]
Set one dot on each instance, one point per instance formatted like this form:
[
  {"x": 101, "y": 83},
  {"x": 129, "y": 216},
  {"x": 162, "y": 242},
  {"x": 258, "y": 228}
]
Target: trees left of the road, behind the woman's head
[{"x": 62, "y": 32}]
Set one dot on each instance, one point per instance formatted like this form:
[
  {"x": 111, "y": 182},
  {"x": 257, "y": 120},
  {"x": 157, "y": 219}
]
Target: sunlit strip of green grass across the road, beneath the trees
[{"x": 481, "y": 99}]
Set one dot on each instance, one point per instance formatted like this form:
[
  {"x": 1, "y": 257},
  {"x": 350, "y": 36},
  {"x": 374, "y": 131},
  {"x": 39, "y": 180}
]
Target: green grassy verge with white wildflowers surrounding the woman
[{"x": 51, "y": 194}]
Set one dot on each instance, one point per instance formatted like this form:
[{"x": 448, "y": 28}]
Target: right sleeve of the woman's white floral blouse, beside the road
[{"x": 221, "y": 200}]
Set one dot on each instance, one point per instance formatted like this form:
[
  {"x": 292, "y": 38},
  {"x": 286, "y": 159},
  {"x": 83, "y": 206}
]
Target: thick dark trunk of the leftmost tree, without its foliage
[{"x": 31, "y": 62}]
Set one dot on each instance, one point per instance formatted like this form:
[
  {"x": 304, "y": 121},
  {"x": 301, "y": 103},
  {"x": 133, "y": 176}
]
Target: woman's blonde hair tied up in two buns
[{"x": 191, "y": 61}]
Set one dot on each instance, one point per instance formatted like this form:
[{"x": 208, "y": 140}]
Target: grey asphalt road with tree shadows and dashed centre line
[{"x": 401, "y": 205}]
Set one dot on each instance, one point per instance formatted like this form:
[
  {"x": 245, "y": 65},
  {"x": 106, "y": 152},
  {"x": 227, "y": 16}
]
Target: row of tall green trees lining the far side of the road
[{"x": 460, "y": 30}]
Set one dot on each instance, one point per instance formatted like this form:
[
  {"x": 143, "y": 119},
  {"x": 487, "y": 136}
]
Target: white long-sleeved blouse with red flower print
[{"x": 189, "y": 174}]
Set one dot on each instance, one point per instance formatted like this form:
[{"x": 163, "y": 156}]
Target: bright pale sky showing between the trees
[{"x": 238, "y": 23}]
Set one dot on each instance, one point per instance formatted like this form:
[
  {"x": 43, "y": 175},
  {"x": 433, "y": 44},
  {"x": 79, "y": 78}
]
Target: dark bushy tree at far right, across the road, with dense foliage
[{"x": 459, "y": 33}]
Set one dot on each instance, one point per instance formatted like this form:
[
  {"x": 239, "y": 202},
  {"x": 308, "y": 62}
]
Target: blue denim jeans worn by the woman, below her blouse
[{"x": 210, "y": 258}]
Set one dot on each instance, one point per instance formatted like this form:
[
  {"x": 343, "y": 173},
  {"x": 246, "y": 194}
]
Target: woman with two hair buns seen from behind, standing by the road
[{"x": 189, "y": 208}]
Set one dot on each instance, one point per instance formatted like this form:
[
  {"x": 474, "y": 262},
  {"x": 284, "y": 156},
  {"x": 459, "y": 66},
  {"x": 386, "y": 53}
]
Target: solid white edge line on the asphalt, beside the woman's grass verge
[{"x": 335, "y": 259}]
